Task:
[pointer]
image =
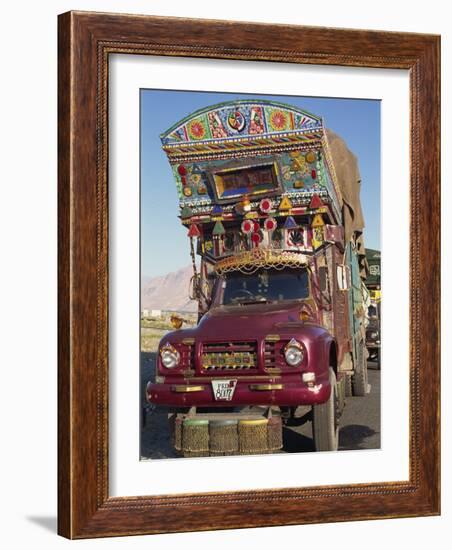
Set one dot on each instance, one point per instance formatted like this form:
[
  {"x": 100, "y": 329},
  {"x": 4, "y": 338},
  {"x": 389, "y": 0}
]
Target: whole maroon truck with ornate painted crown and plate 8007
[{"x": 270, "y": 200}]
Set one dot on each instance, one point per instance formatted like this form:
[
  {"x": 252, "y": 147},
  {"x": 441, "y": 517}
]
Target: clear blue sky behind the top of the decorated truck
[{"x": 164, "y": 244}]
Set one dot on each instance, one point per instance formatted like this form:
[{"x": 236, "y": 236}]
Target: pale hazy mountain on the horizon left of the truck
[{"x": 169, "y": 291}]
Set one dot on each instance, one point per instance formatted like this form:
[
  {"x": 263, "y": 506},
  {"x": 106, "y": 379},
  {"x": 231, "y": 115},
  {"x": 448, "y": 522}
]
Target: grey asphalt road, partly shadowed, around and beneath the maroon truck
[{"x": 360, "y": 422}]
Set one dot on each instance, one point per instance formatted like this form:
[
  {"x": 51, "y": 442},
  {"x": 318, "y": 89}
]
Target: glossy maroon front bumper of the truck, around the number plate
[{"x": 200, "y": 393}]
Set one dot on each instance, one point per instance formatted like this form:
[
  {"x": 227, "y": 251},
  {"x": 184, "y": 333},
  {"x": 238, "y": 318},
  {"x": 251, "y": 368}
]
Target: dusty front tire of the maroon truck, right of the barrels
[{"x": 325, "y": 430}]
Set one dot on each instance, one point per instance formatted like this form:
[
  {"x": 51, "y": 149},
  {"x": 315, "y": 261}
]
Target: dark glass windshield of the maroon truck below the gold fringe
[{"x": 265, "y": 285}]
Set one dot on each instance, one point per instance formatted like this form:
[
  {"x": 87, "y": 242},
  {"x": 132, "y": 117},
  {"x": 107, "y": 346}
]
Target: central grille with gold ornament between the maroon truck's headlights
[{"x": 232, "y": 356}]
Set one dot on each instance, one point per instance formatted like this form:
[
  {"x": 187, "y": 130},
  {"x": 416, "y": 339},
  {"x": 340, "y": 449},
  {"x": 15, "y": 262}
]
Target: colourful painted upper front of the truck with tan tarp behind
[{"x": 252, "y": 173}]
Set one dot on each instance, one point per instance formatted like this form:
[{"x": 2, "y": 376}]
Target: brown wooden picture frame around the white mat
[{"x": 86, "y": 40}]
